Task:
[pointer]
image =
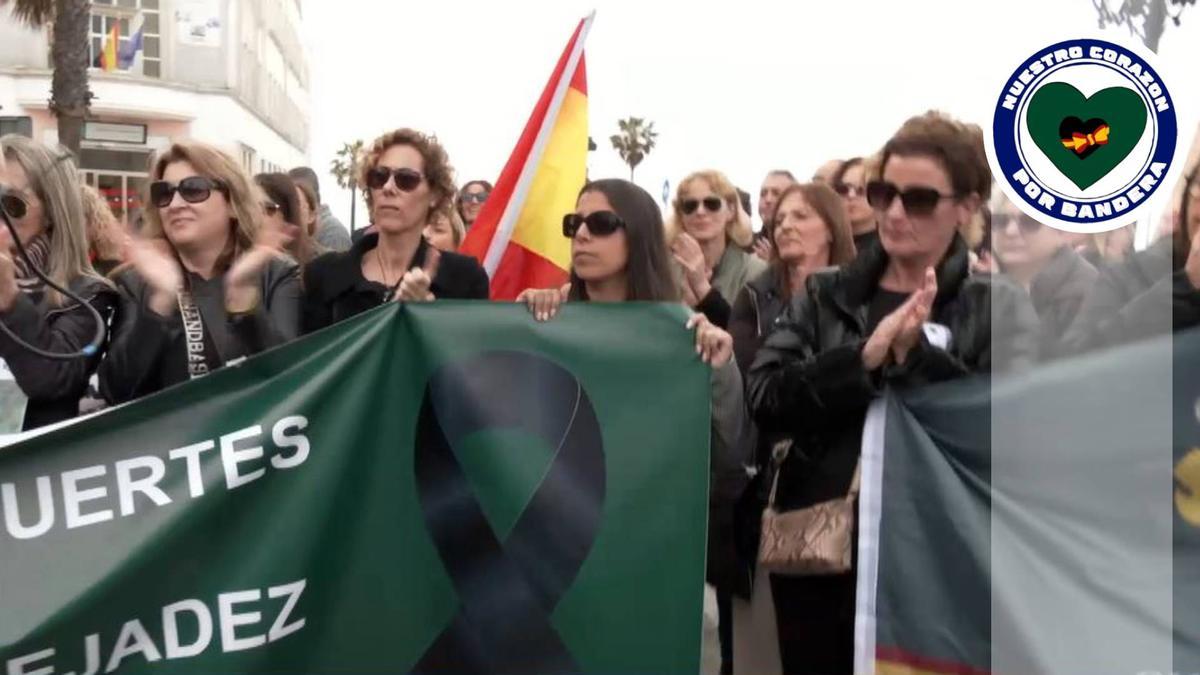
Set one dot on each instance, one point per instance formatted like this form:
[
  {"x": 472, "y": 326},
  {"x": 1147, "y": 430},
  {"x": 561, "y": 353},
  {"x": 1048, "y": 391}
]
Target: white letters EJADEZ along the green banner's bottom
[{"x": 188, "y": 631}]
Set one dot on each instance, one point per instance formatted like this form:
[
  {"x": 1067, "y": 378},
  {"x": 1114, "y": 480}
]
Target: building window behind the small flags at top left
[{"x": 130, "y": 17}]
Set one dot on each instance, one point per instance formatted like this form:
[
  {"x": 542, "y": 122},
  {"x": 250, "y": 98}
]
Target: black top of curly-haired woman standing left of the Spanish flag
[{"x": 335, "y": 289}]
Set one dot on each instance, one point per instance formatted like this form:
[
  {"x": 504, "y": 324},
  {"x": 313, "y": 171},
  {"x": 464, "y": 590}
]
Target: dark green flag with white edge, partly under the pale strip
[{"x": 1042, "y": 523}]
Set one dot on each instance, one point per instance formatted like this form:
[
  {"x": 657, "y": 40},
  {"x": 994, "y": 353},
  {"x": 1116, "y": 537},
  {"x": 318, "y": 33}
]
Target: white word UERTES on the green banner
[{"x": 97, "y": 494}]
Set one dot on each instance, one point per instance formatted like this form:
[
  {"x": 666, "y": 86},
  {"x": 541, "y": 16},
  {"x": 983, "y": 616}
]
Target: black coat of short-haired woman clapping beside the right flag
[{"x": 809, "y": 380}]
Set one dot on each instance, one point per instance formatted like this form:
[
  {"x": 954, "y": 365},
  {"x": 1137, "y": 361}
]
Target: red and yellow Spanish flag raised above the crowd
[{"x": 519, "y": 235}]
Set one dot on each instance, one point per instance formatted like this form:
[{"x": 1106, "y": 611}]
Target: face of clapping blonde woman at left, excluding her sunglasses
[{"x": 203, "y": 225}]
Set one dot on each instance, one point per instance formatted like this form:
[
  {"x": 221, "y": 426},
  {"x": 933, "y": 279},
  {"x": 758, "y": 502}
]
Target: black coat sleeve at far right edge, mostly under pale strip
[{"x": 1145, "y": 296}]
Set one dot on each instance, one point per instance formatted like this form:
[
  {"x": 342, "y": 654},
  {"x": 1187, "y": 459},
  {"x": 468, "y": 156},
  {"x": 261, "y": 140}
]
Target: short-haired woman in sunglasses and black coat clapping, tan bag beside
[{"x": 902, "y": 314}]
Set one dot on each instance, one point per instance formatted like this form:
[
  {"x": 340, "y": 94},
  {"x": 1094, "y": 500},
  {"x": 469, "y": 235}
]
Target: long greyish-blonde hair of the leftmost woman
[{"x": 55, "y": 181}]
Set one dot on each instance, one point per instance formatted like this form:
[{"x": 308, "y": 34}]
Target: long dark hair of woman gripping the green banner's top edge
[{"x": 649, "y": 268}]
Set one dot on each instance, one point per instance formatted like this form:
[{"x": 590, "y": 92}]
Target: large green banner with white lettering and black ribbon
[{"x": 445, "y": 488}]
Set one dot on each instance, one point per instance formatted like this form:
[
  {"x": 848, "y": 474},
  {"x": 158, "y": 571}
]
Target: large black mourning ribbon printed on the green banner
[{"x": 508, "y": 590}]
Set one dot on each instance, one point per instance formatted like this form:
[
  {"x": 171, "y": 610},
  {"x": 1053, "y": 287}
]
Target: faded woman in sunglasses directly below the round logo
[{"x": 1042, "y": 261}]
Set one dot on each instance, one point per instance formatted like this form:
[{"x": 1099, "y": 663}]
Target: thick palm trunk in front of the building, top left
[{"x": 70, "y": 97}]
